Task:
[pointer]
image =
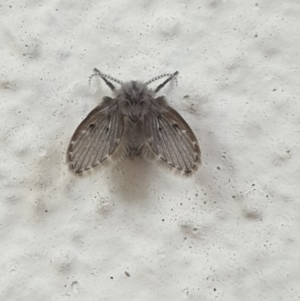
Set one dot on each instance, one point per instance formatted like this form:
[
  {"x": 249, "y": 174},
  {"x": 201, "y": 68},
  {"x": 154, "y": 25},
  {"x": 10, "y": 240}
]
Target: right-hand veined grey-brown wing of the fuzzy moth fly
[{"x": 172, "y": 140}]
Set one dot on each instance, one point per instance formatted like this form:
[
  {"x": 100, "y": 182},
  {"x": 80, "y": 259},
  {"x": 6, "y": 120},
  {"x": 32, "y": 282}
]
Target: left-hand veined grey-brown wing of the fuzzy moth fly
[{"x": 96, "y": 138}]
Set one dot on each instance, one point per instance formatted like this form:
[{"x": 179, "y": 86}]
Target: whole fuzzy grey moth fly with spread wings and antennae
[{"x": 134, "y": 123}]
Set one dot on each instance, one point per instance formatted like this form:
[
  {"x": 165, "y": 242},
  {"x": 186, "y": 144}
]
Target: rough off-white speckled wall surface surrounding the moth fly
[{"x": 229, "y": 233}]
